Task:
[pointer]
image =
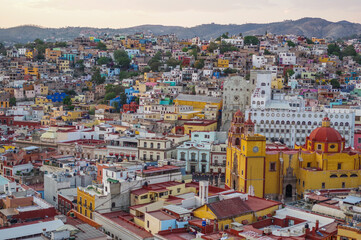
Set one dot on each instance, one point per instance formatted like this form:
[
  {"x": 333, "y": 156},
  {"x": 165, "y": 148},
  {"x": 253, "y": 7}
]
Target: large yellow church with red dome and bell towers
[{"x": 274, "y": 171}]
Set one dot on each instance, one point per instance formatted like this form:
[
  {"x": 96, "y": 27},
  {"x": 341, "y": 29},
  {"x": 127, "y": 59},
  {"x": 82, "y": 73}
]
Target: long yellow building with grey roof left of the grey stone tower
[{"x": 198, "y": 102}]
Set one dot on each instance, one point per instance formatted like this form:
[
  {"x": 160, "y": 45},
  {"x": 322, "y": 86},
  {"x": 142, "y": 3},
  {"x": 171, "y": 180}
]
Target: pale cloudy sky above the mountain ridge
[{"x": 187, "y": 13}]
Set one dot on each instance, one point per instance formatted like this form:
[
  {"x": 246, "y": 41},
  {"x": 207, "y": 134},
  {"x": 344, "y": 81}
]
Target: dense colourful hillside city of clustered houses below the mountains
[{"x": 154, "y": 137}]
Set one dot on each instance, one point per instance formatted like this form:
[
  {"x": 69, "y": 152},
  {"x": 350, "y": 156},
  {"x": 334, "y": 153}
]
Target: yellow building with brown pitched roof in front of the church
[{"x": 242, "y": 210}]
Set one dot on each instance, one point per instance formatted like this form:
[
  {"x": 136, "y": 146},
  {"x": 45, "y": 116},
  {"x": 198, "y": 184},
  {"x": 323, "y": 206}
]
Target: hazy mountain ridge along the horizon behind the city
[{"x": 309, "y": 27}]
